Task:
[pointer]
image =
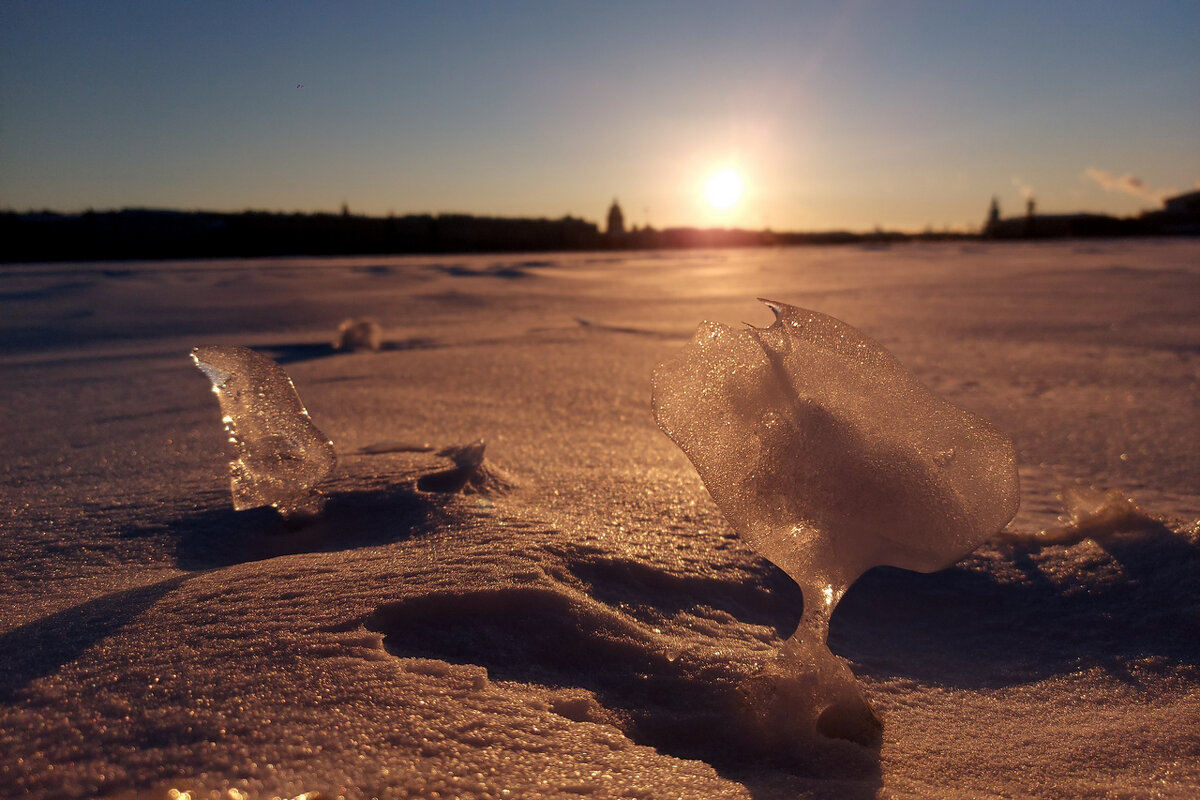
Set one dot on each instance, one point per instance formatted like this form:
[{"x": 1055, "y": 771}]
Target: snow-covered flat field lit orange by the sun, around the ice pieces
[{"x": 590, "y": 631}]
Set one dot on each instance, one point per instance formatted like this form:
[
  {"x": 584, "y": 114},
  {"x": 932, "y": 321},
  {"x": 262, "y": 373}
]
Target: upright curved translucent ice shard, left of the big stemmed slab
[{"x": 279, "y": 456}]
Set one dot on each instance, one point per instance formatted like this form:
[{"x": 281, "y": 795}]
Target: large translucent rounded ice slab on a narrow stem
[{"x": 830, "y": 458}]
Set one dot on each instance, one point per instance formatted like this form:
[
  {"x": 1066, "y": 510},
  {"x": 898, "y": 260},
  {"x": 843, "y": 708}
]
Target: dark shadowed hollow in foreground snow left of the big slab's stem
[{"x": 592, "y": 629}]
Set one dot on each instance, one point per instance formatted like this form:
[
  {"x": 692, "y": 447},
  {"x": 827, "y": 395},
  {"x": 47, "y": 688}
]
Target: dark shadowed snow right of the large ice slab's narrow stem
[{"x": 1137, "y": 599}]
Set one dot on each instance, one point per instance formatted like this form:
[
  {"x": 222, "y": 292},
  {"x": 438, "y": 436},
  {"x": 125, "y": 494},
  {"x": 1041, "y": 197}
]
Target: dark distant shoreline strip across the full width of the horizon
[{"x": 141, "y": 234}]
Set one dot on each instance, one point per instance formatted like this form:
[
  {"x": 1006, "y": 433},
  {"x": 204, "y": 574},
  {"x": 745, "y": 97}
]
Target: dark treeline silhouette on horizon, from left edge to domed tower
[{"x": 137, "y": 233}]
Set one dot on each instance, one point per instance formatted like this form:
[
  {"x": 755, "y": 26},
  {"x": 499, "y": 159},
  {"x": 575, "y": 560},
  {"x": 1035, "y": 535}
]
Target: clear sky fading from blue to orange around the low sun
[{"x": 895, "y": 113}]
